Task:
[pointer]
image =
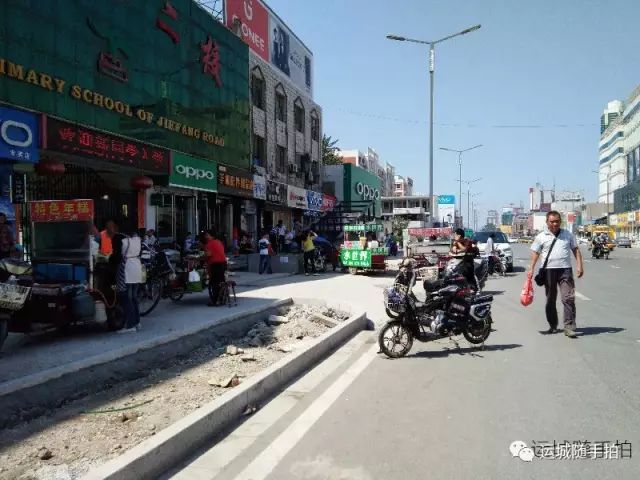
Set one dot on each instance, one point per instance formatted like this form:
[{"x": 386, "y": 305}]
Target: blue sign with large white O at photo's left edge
[{"x": 18, "y": 135}]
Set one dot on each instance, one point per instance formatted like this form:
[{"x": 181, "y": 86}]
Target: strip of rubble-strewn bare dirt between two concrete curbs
[{"x": 66, "y": 442}]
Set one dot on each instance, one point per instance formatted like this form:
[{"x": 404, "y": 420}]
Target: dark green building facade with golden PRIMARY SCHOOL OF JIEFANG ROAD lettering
[{"x": 113, "y": 125}]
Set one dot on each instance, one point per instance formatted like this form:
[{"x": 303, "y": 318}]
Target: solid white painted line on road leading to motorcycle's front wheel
[{"x": 267, "y": 461}]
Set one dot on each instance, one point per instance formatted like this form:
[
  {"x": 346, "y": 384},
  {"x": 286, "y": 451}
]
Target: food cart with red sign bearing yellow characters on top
[{"x": 67, "y": 287}]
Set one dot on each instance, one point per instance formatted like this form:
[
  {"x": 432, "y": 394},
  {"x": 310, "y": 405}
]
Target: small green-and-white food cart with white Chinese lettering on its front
[{"x": 360, "y": 255}]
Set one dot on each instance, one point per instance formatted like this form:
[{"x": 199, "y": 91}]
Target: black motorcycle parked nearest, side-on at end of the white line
[{"x": 447, "y": 311}]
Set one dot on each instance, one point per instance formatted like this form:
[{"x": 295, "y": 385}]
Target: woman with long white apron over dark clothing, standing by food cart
[{"x": 131, "y": 248}]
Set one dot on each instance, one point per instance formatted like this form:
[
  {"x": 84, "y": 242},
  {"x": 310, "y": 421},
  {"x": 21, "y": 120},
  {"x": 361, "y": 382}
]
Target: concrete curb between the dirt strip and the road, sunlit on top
[{"x": 177, "y": 442}]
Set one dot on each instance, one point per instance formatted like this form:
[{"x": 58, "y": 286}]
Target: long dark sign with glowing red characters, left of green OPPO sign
[{"x": 85, "y": 142}]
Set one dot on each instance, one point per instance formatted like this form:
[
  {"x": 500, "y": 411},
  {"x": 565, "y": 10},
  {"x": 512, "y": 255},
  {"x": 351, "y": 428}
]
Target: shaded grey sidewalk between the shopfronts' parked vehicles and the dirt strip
[{"x": 29, "y": 360}]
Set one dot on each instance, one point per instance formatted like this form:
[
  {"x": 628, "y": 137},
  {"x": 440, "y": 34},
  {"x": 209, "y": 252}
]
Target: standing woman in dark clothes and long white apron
[{"x": 127, "y": 247}]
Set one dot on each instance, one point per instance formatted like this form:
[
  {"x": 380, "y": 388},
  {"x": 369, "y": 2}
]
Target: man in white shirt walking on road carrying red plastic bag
[{"x": 556, "y": 245}]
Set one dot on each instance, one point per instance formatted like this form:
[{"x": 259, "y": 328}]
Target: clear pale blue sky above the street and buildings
[{"x": 544, "y": 63}]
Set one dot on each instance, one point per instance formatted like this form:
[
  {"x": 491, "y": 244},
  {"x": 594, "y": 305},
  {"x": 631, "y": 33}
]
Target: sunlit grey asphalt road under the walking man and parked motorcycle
[{"x": 451, "y": 413}]
